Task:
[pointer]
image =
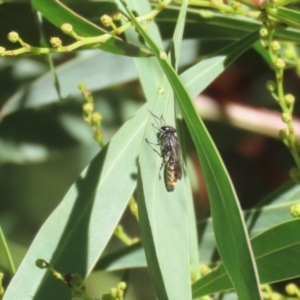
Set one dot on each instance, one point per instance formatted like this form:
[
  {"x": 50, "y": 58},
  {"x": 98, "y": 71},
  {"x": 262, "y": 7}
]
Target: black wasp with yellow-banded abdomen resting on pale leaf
[{"x": 170, "y": 152}]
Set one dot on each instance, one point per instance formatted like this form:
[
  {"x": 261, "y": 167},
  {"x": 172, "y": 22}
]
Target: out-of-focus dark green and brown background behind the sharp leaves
[{"x": 45, "y": 143}]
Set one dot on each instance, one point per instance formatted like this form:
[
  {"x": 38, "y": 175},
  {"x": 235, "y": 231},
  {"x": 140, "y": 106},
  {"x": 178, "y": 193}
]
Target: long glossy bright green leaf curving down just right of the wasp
[{"x": 231, "y": 235}]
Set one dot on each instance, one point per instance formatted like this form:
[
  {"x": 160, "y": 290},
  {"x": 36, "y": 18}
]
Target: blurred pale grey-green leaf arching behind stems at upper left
[{"x": 87, "y": 67}]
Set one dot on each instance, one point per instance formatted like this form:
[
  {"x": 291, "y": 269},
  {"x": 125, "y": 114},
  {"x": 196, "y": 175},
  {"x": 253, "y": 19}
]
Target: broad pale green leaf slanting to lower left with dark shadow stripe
[{"x": 76, "y": 233}]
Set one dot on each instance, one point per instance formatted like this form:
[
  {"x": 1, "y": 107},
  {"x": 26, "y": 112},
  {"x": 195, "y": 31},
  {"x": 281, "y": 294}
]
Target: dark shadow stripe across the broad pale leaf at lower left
[{"x": 72, "y": 248}]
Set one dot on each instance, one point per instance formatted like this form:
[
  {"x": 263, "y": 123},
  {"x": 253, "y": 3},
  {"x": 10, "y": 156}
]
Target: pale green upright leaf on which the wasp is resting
[{"x": 158, "y": 208}]
